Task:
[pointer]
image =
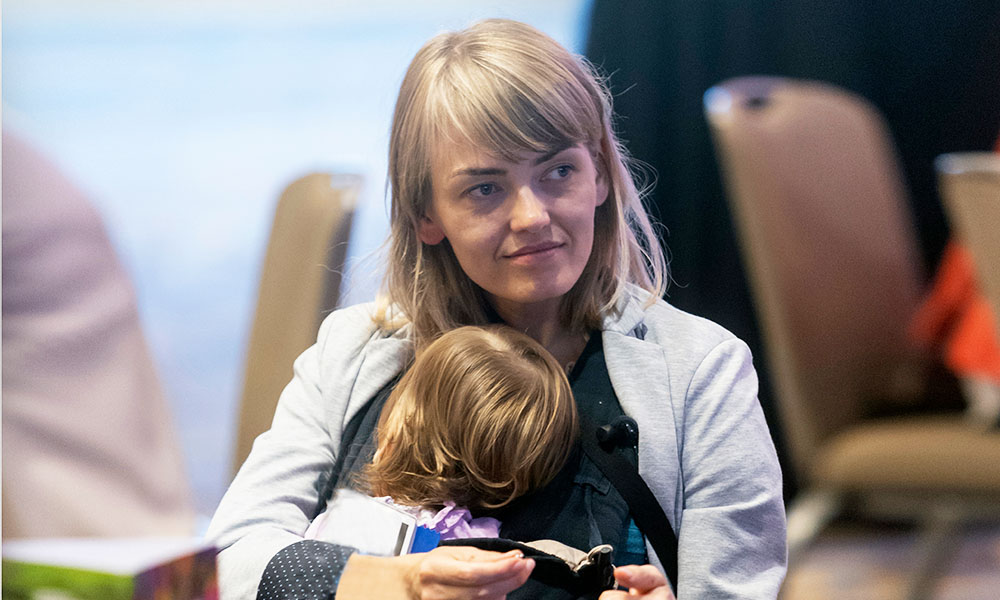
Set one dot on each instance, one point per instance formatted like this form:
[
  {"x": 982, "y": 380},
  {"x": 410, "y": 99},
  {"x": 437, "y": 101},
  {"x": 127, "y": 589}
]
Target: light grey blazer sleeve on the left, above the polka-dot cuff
[{"x": 274, "y": 496}]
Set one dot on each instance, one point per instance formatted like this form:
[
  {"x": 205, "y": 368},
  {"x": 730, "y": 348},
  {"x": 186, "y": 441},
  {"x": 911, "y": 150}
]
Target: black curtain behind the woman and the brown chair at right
[{"x": 932, "y": 68}]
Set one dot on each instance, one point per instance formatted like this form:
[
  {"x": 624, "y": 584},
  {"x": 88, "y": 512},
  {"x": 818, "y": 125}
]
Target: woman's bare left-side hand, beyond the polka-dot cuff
[{"x": 460, "y": 572}]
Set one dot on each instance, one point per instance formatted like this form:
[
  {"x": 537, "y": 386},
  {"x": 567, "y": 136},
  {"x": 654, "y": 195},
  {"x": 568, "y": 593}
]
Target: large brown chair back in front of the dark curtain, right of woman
[{"x": 830, "y": 249}]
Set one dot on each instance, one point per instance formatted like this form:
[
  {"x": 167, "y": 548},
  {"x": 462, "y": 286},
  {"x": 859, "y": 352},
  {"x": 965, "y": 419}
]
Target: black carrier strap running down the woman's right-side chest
[{"x": 643, "y": 506}]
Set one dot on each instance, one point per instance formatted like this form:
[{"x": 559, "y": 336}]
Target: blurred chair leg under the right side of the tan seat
[{"x": 935, "y": 551}]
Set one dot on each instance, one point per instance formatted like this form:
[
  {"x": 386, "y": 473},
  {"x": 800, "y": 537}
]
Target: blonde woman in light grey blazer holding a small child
[{"x": 512, "y": 203}]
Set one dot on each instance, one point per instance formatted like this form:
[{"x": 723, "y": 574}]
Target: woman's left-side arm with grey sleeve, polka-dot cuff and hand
[{"x": 261, "y": 520}]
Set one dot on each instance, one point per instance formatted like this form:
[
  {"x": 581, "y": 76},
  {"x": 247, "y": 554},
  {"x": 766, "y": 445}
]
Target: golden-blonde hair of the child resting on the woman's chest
[{"x": 483, "y": 416}]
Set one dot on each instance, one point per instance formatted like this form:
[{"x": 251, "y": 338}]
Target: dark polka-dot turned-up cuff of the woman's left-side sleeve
[{"x": 306, "y": 570}]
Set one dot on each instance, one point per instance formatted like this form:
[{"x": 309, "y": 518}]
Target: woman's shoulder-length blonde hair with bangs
[{"x": 508, "y": 88}]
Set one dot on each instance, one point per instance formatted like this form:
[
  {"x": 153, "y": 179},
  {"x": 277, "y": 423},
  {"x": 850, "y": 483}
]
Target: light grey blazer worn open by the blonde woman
[{"x": 704, "y": 449}]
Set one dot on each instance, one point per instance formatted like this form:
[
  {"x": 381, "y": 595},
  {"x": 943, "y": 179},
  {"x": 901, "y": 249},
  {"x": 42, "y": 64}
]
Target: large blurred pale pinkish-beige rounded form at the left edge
[{"x": 88, "y": 444}]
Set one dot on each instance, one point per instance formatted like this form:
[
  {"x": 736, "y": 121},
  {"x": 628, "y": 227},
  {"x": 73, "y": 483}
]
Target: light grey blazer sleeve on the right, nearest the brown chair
[{"x": 732, "y": 536}]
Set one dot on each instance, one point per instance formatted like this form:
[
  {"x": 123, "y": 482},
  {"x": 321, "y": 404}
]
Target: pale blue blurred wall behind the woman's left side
[{"x": 183, "y": 122}]
